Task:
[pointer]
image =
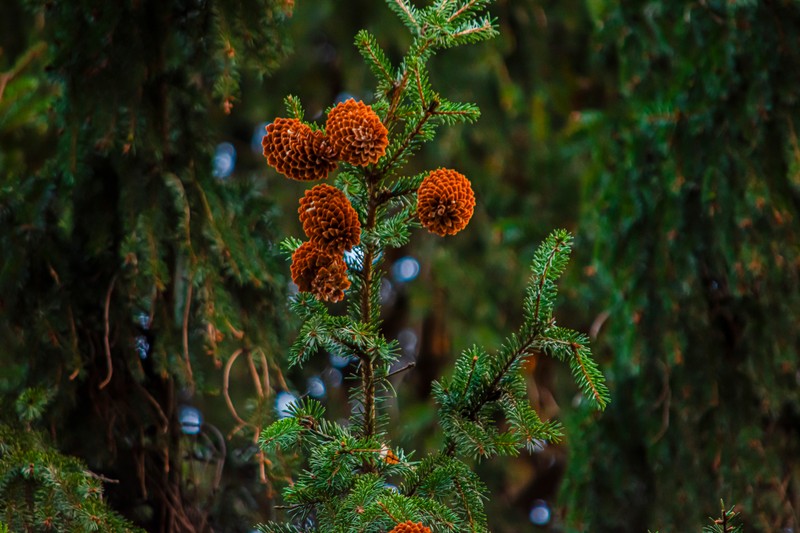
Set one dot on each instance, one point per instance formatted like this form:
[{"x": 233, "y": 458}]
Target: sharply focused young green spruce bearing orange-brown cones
[{"x": 483, "y": 407}]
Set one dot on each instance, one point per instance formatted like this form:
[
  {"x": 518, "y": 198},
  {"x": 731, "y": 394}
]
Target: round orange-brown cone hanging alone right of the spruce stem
[{"x": 445, "y": 202}]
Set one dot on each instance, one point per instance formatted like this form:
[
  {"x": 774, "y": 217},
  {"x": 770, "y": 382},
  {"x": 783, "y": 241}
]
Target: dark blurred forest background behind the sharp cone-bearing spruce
[{"x": 143, "y": 299}]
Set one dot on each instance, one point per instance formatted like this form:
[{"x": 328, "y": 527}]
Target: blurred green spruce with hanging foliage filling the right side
[{"x": 692, "y": 212}]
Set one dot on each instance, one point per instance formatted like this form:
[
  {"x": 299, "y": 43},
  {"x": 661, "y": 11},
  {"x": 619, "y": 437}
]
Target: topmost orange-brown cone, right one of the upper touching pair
[{"x": 356, "y": 133}]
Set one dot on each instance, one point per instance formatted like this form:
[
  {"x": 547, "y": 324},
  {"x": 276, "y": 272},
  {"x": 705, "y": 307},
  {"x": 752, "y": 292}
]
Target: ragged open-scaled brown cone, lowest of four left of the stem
[{"x": 319, "y": 272}]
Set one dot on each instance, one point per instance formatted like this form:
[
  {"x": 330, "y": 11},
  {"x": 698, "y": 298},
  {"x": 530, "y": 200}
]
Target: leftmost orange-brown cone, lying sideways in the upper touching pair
[{"x": 296, "y": 151}]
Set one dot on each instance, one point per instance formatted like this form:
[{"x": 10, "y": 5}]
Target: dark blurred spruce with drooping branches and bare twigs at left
[{"x": 132, "y": 275}]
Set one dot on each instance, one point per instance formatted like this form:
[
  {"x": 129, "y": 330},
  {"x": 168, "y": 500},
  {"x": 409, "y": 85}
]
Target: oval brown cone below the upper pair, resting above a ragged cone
[{"x": 328, "y": 219}]
